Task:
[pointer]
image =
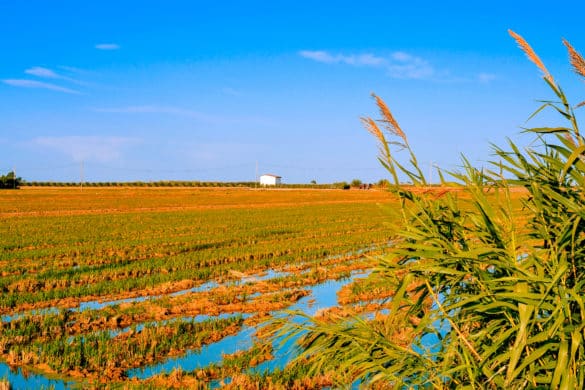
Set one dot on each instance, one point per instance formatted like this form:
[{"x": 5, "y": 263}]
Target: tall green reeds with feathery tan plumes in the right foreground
[{"x": 485, "y": 297}]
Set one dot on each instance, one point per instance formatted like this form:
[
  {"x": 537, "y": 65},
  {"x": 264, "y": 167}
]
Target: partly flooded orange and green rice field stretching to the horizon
[{"x": 103, "y": 285}]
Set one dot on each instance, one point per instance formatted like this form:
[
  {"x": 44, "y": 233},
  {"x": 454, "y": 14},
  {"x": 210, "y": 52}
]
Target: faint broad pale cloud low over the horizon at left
[{"x": 87, "y": 148}]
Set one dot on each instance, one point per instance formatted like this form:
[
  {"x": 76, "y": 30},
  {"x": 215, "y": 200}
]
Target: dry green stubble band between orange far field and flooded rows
[{"x": 57, "y": 257}]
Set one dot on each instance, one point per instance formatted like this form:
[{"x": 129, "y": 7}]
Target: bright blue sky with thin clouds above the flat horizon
[{"x": 203, "y": 90}]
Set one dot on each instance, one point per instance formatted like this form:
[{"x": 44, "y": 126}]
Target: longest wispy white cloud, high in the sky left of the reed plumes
[{"x": 399, "y": 64}]
